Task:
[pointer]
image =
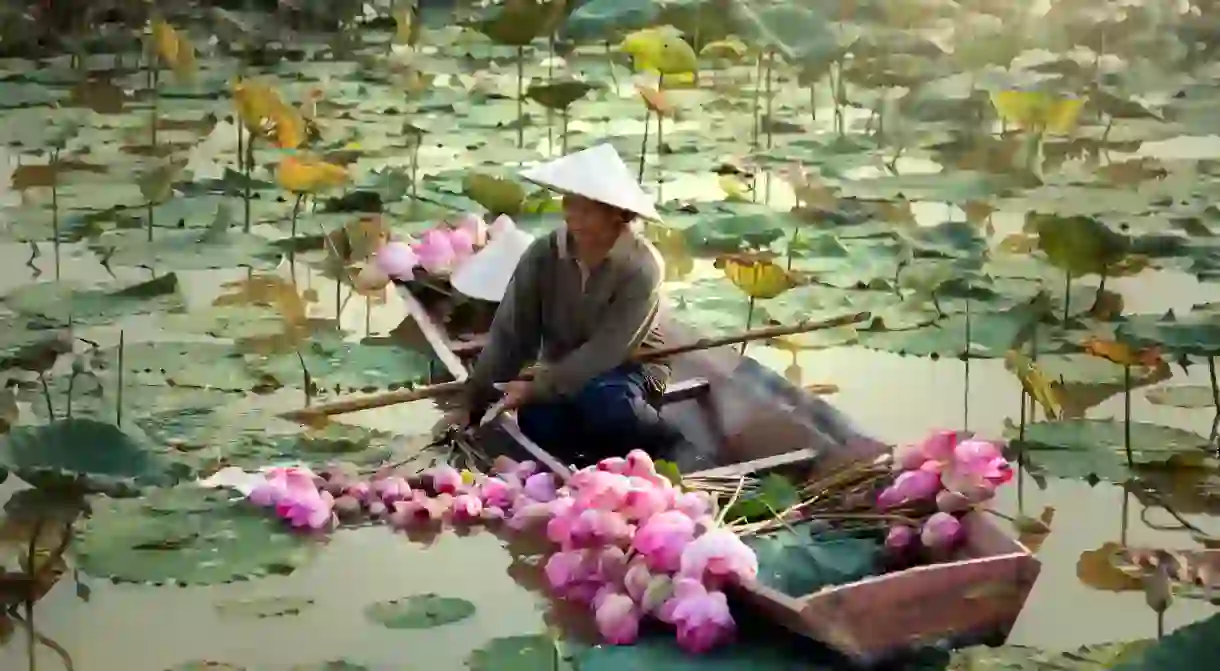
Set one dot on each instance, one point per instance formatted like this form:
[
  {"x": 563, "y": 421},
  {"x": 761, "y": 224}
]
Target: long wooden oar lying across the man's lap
[{"x": 447, "y": 389}]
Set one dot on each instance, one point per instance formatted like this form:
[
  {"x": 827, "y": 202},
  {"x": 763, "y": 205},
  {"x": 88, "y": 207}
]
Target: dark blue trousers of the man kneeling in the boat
[{"x": 612, "y": 415}]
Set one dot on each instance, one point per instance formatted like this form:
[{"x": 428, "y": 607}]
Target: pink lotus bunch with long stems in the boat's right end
[{"x": 950, "y": 472}]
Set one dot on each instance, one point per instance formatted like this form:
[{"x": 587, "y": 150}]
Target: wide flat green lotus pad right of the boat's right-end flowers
[{"x": 1095, "y": 448}]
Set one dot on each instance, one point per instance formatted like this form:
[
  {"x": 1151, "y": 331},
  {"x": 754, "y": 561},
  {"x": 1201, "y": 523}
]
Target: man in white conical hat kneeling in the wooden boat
[{"x": 587, "y": 297}]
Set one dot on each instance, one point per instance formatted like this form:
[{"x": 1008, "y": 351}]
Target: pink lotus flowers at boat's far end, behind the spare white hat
[{"x": 441, "y": 249}]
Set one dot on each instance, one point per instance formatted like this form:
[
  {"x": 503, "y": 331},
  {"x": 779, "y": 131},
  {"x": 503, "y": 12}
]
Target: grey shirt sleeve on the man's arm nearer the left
[{"x": 517, "y": 331}]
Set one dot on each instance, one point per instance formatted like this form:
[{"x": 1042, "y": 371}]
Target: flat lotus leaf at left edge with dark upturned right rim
[{"x": 63, "y": 303}]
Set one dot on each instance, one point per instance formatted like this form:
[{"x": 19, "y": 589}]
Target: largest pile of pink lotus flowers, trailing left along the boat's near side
[{"x": 630, "y": 544}]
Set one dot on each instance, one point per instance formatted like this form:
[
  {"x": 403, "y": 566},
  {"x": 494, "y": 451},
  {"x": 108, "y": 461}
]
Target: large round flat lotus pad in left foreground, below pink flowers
[{"x": 188, "y": 536}]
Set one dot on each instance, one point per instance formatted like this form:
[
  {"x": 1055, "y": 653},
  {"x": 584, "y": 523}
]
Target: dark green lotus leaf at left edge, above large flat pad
[{"x": 86, "y": 454}]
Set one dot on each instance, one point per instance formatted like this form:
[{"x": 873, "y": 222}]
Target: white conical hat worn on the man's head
[{"x": 597, "y": 174}]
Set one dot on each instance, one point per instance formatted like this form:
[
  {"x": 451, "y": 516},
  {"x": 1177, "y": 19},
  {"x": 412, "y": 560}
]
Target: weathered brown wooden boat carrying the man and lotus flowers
[{"x": 746, "y": 419}]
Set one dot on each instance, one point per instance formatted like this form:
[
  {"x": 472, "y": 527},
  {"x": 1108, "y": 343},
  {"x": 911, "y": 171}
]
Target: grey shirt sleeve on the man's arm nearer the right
[{"x": 625, "y": 323}]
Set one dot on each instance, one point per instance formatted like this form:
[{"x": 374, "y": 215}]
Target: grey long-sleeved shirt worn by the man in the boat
[{"x": 584, "y": 324}]
